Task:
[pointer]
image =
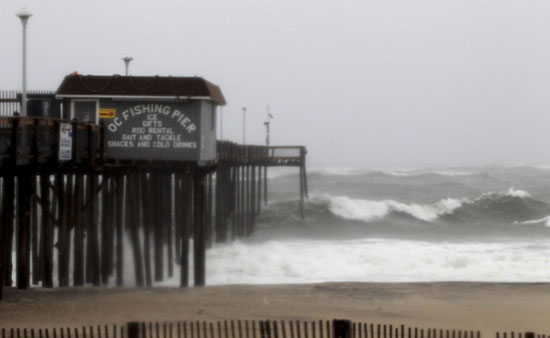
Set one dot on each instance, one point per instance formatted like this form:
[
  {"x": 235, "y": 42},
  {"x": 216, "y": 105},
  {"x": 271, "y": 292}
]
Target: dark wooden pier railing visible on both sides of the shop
[{"x": 35, "y": 141}]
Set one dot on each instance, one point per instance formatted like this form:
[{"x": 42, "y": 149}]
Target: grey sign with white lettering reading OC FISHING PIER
[{"x": 153, "y": 131}]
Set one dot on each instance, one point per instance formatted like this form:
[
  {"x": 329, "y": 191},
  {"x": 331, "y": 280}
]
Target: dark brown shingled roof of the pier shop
[{"x": 165, "y": 87}]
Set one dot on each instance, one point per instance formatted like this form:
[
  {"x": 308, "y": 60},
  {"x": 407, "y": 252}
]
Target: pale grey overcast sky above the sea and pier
[{"x": 371, "y": 83}]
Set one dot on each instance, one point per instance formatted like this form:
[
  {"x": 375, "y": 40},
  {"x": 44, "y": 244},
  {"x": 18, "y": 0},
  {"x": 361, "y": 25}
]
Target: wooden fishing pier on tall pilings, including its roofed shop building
[{"x": 111, "y": 161}]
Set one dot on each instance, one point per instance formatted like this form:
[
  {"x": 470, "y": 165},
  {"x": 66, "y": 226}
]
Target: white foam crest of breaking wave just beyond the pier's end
[{"x": 367, "y": 210}]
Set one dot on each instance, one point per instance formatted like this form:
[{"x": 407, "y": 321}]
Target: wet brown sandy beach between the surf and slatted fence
[{"x": 488, "y": 307}]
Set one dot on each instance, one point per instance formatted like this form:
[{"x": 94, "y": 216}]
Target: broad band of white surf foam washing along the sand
[{"x": 375, "y": 260}]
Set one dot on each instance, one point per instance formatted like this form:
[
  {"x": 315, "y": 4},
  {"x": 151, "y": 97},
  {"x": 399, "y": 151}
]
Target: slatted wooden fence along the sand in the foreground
[{"x": 254, "y": 329}]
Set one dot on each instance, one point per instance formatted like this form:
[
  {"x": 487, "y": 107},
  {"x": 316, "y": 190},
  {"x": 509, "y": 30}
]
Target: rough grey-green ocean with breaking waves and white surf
[{"x": 414, "y": 225}]
